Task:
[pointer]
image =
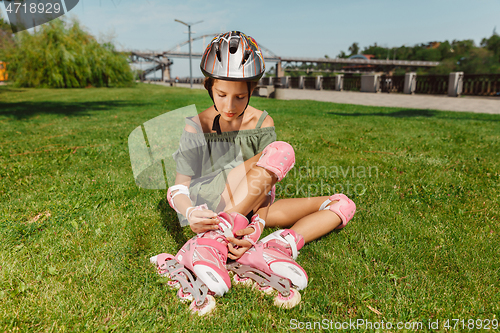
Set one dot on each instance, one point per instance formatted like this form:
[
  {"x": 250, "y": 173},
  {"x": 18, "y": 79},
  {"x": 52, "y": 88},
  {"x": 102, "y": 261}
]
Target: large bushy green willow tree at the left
[{"x": 63, "y": 55}]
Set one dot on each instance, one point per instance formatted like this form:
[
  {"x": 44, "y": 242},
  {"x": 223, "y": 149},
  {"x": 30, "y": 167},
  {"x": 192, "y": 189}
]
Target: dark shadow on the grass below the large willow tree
[{"x": 24, "y": 110}]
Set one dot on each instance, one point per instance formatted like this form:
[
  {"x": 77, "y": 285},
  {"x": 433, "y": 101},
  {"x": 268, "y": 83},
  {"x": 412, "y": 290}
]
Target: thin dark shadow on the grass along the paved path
[{"x": 408, "y": 113}]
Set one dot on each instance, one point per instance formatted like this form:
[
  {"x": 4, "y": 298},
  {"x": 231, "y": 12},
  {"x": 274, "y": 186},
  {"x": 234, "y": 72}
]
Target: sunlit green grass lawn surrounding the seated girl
[{"x": 424, "y": 244}]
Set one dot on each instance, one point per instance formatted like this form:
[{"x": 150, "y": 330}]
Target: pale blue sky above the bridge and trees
[{"x": 289, "y": 28}]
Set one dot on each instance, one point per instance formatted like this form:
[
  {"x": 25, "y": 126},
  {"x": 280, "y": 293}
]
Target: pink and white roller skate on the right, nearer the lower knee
[{"x": 270, "y": 263}]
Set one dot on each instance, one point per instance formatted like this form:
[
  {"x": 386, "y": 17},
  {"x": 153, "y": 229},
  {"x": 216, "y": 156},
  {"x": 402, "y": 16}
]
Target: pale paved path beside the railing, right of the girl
[{"x": 470, "y": 104}]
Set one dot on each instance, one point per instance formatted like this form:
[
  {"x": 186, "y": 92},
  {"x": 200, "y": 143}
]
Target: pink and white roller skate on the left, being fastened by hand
[{"x": 199, "y": 268}]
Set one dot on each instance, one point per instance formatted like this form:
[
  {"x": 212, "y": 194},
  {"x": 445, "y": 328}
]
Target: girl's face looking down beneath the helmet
[{"x": 230, "y": 97}]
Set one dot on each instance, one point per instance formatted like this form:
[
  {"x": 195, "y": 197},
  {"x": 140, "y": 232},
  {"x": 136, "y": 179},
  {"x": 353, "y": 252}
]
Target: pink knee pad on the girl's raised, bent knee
[{"x": 278, "y": 157}]
